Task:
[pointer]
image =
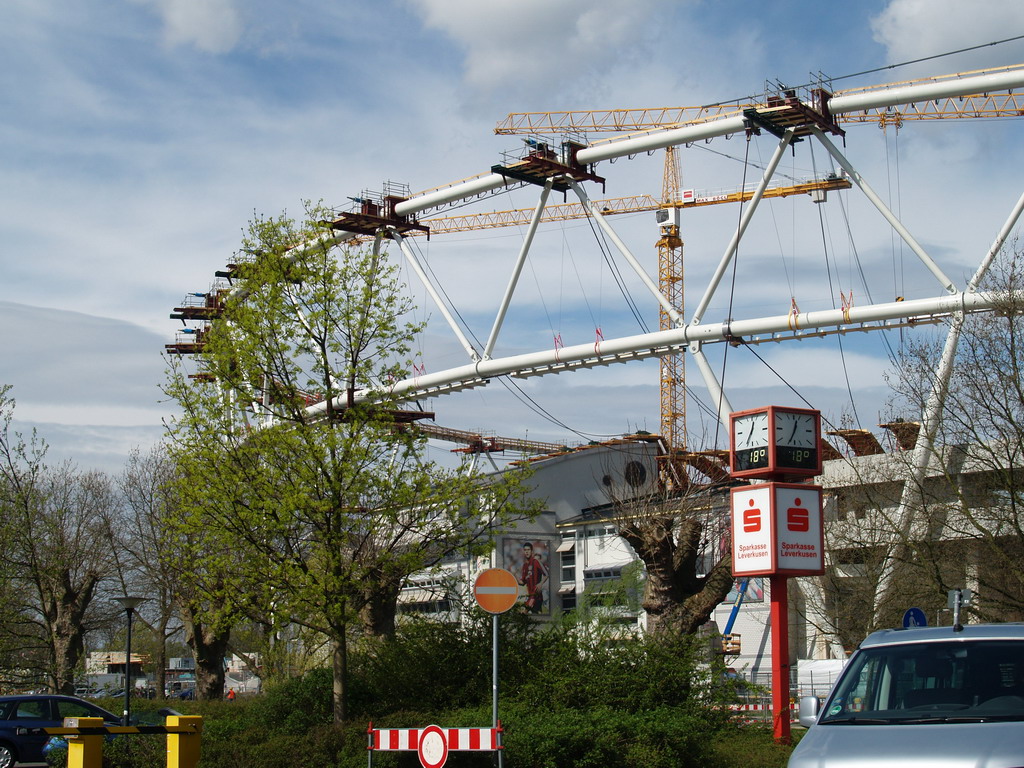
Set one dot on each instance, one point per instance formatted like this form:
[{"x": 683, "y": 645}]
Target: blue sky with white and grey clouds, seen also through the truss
[{"x": 138, "y": 139}]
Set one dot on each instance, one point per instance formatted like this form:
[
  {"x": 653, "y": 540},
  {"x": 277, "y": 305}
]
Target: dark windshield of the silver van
[{"x": 978, "y": 681}]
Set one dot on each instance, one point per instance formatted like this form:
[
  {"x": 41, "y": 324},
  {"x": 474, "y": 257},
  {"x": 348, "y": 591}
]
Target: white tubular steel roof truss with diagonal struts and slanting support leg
[{"x": 952, "y": 304}]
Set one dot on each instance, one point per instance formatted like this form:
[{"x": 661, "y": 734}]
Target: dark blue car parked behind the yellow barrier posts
[{"x": 39, "y": 711}]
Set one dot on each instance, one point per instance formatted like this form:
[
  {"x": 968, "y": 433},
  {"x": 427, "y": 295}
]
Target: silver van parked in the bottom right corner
[{"x": 923, "y": 698}]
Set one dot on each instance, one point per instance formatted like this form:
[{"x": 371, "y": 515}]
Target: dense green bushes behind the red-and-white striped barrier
[{"x": 575, "y": 695}]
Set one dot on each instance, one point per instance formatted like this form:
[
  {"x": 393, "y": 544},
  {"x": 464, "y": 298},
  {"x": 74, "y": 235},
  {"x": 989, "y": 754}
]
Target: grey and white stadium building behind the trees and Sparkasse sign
[{"x": 577, "y": 540}]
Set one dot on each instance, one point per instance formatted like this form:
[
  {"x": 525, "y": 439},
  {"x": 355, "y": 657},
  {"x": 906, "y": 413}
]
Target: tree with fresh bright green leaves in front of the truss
[{"x": 316, "y": 516}]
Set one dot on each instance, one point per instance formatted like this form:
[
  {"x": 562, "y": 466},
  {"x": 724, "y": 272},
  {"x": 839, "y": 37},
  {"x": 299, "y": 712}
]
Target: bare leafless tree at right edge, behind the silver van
[{"x": 905, "y": 533}]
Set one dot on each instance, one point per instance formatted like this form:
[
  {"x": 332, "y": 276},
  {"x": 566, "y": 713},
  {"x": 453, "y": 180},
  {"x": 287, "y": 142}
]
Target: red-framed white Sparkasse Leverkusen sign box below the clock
[{"x": 778, "y": 530}]
